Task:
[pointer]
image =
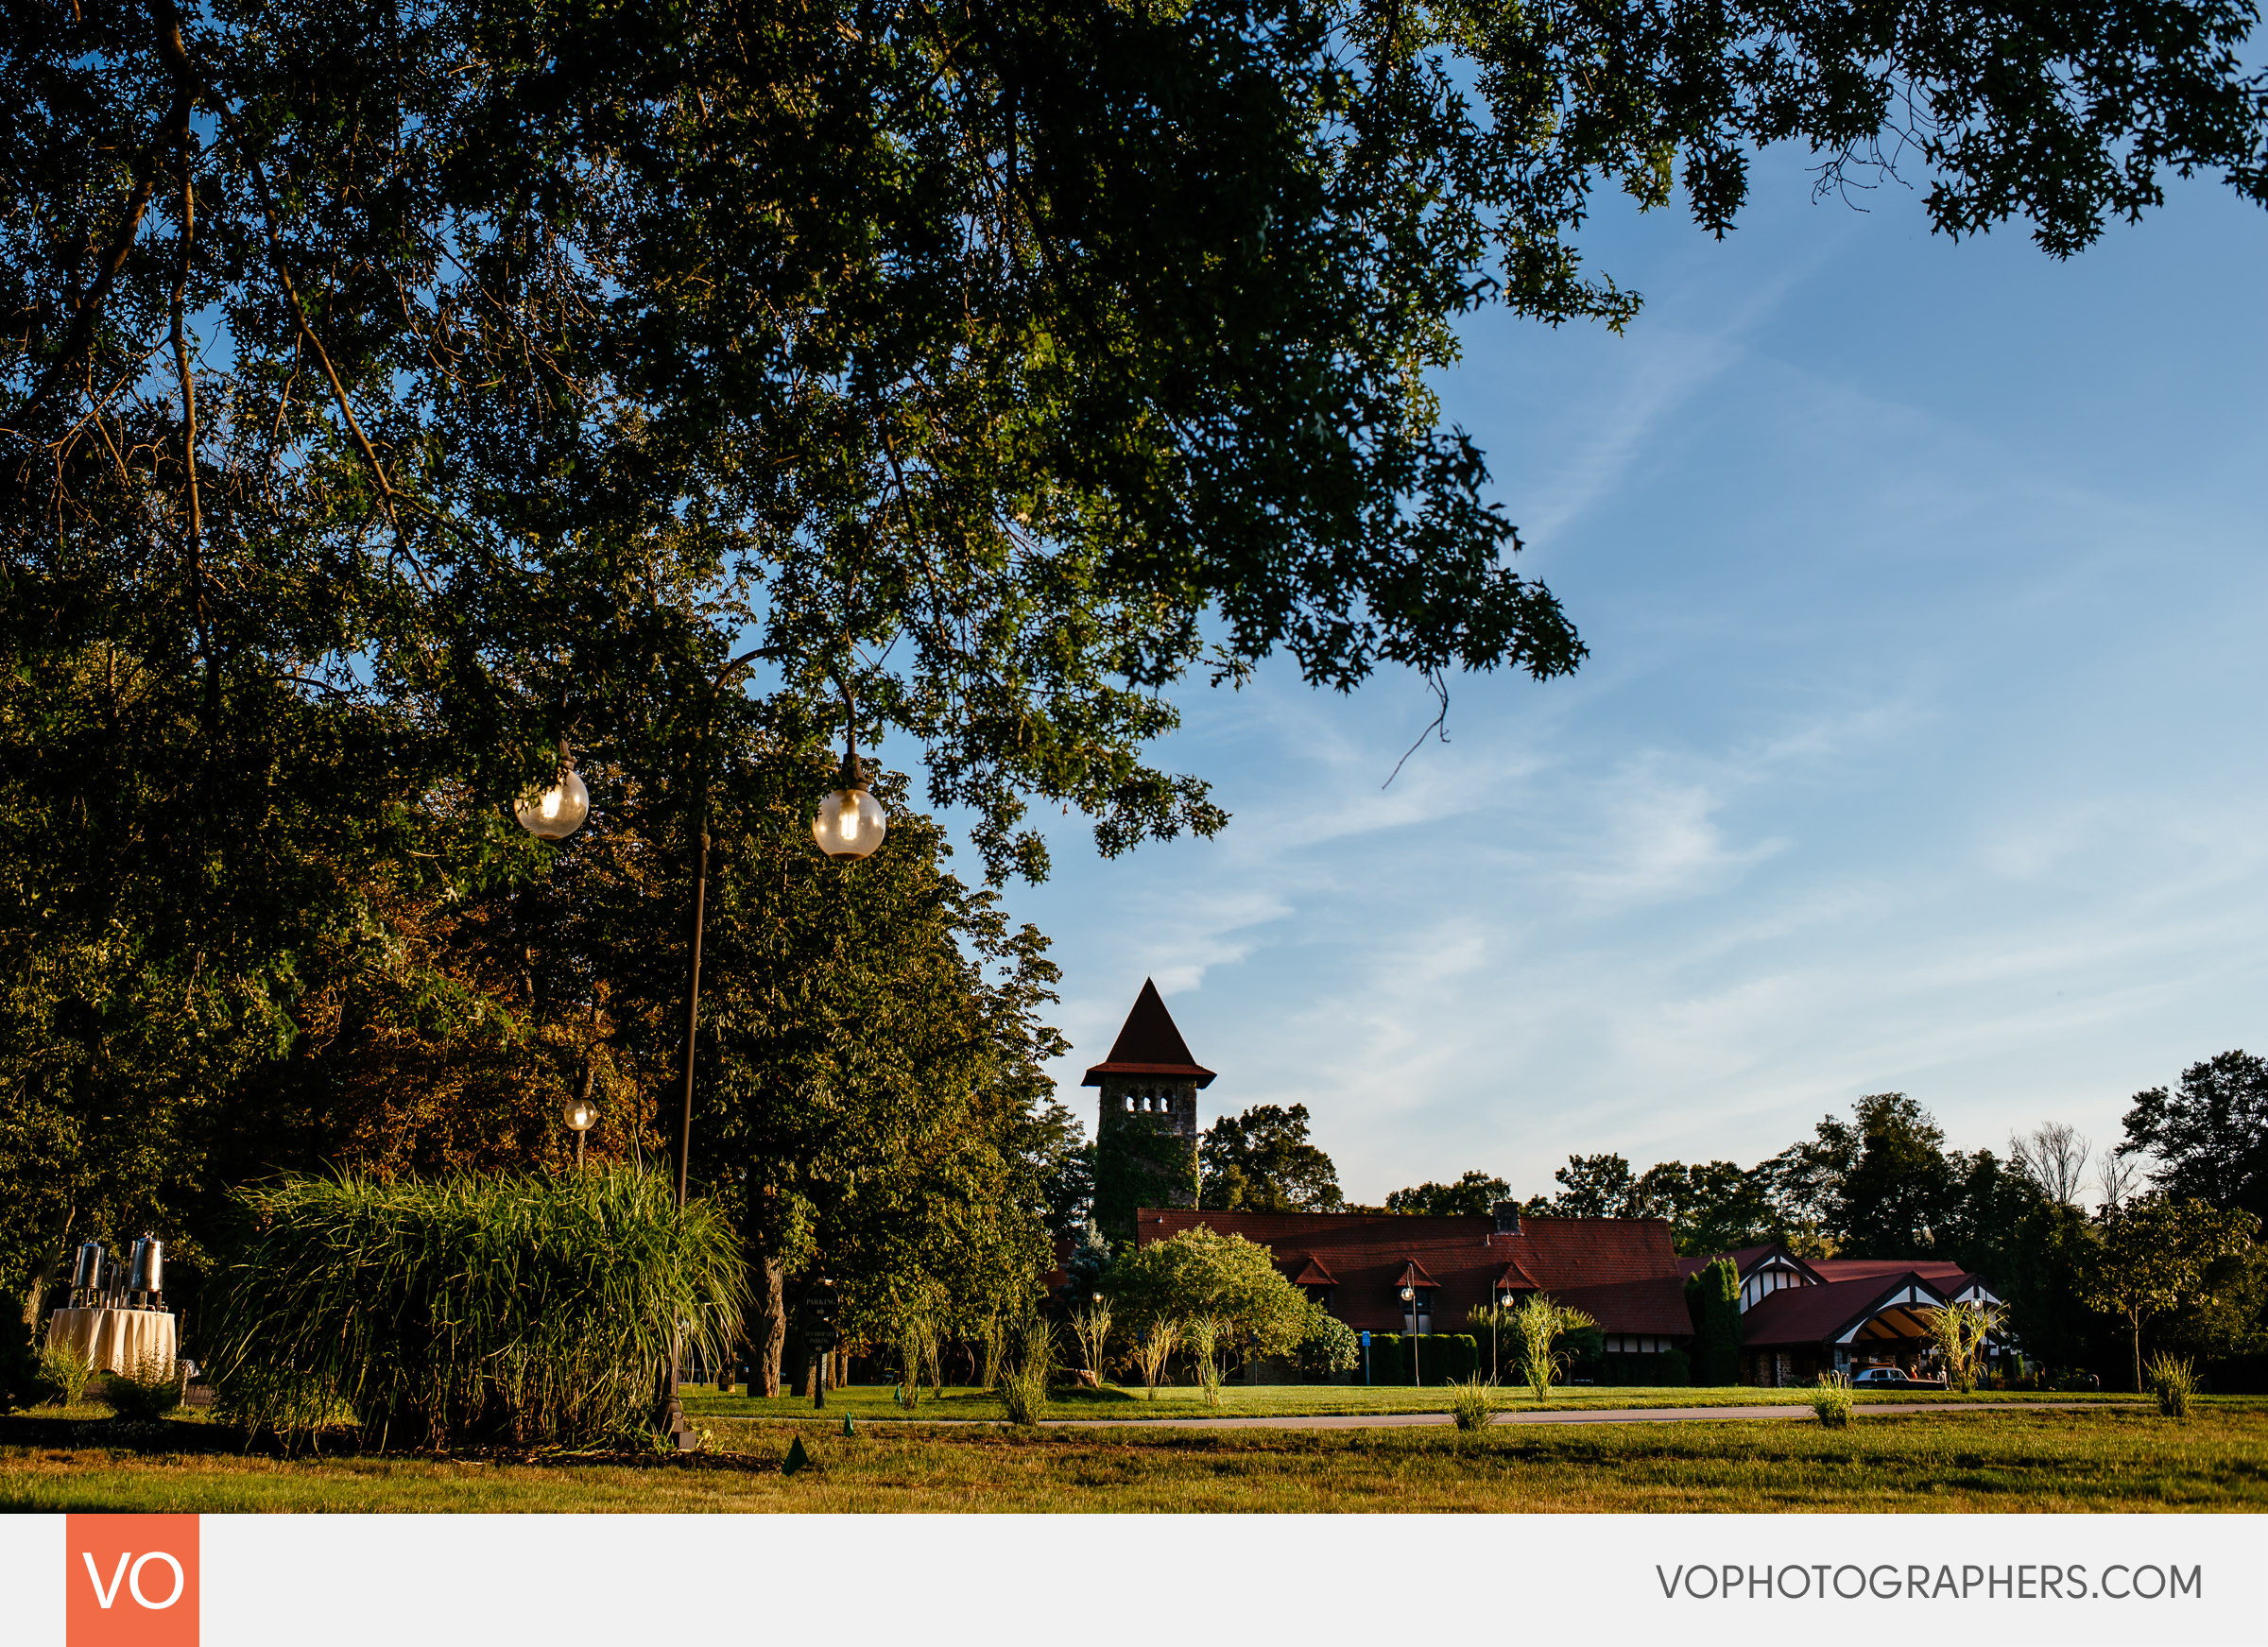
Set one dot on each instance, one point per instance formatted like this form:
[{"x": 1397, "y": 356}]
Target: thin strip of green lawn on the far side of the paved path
[{"x": 1283, "y": 1401}]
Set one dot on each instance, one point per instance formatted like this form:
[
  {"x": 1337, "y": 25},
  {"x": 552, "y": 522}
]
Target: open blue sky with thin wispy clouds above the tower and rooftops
[{"x": 1920, "y": 748}]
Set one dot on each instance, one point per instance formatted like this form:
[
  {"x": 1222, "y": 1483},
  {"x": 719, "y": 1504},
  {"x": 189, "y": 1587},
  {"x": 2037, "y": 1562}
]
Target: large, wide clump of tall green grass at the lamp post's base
[{"x": 466, "y": 1310}]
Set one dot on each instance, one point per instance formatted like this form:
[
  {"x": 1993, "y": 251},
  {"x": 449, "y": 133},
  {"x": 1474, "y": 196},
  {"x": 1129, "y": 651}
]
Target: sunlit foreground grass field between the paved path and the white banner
[{"x": 2101, "y": 1460}]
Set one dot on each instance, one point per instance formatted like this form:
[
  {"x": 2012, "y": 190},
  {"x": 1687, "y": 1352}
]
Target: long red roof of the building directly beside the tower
[{"x": 1623, "y": 1265}]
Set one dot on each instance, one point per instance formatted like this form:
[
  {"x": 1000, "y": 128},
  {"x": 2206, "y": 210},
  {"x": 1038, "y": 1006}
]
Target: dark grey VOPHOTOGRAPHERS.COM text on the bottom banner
[{"x": 1918, "y": 1582}]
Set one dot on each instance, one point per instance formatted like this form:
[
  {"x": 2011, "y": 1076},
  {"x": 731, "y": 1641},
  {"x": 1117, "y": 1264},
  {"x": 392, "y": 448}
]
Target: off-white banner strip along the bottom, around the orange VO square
[{"x": 484, "y": 1580}]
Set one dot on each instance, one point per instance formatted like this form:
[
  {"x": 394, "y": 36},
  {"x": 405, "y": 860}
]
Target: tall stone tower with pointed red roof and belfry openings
[{"x": 1146, "y": 1133}]
